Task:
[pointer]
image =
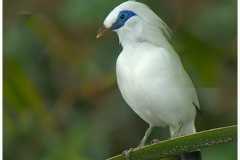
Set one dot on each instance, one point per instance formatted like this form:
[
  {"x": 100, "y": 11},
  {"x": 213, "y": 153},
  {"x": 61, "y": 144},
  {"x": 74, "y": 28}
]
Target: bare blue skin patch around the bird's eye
[{"x": 120, "y": 22}]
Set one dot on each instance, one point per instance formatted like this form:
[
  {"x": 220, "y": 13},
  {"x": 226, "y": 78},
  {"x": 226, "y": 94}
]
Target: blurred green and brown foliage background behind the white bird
[{"x": 60, "y": 97}]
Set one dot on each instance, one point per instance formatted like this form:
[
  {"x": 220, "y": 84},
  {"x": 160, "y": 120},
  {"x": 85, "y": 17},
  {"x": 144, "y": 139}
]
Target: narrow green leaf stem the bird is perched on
[{"x": 183, "y": 144}]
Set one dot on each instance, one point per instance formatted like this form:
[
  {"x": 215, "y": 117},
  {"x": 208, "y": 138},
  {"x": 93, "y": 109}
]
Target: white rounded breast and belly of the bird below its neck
[{"x": 153, "y": 86}]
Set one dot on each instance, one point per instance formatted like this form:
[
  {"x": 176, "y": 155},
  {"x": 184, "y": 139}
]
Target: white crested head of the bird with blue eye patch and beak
[{"x": 134, "y": 21}]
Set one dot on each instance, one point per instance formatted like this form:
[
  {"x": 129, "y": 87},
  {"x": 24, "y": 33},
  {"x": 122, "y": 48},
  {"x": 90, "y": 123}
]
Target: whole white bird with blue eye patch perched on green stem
[{"x": 150, "y": 75}]
